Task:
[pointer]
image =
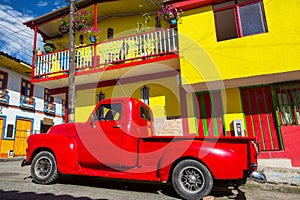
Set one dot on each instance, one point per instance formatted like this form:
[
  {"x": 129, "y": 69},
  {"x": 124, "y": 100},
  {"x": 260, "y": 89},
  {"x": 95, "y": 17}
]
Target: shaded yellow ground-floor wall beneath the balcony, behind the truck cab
[{"x": 164, "y": 97}]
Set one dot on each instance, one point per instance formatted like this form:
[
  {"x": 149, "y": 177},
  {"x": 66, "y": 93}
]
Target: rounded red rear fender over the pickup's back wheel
[{"x": 222, "y": 161}]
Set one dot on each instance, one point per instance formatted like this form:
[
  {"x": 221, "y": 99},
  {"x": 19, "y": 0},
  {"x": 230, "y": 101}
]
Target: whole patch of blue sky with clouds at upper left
[{"x": 16, "y": 39}]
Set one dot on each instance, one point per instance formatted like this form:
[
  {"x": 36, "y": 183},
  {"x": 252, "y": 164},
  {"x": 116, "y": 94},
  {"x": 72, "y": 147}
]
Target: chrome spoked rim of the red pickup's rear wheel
[{"x": 191, "y": 179}]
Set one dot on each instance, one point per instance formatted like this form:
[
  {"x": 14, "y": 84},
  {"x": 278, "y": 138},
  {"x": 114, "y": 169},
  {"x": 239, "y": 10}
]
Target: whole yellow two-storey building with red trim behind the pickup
[{"x": 226, "y": 68}]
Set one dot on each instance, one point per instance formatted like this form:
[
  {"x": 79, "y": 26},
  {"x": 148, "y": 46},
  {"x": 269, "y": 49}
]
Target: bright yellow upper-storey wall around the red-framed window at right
[{"x": 266, "y": 53}]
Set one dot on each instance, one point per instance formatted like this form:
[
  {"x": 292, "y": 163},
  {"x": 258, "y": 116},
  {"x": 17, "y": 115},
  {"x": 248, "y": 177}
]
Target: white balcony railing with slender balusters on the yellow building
[{"x": 101, "y": 55}]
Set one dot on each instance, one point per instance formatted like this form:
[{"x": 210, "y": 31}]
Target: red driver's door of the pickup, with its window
[{"x": 102, "y": 138}]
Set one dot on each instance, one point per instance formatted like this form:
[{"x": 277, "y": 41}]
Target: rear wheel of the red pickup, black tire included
[{"x": 192, "y": 180}]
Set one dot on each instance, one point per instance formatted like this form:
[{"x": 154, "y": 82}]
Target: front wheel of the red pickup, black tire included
[{"x": 44, "y": 169}]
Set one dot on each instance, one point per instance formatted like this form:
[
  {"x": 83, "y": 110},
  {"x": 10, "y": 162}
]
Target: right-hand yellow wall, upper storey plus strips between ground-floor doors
[{"x": 205, "y": 63}]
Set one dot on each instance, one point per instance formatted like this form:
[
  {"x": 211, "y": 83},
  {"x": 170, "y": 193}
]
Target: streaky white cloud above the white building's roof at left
[{"x": 16, "y": 39}]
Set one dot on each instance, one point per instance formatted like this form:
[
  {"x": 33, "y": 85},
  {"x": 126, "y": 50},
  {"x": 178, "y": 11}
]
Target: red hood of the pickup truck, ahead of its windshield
[{"x": 69, "y": 130}]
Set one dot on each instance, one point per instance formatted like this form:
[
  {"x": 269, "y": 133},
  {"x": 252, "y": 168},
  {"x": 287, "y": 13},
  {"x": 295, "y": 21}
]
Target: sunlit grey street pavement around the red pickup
[{"x": 15, "y": 183}]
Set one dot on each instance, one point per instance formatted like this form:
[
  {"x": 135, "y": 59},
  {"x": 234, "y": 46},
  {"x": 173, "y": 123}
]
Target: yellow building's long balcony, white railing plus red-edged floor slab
[{"x": 141, "y": 50}]
